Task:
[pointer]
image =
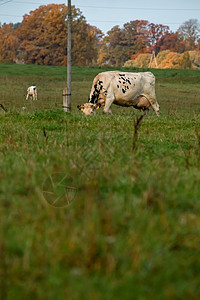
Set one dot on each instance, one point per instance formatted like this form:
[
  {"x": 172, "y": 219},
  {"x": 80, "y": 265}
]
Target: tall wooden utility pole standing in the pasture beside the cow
[{"x": 67, "y": 92}]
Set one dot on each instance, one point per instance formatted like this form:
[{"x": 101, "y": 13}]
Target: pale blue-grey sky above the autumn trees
[{"x": 105, "y": 14}]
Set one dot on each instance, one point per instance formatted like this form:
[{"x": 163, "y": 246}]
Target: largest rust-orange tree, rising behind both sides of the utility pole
[{"x": 43, "y": 36}]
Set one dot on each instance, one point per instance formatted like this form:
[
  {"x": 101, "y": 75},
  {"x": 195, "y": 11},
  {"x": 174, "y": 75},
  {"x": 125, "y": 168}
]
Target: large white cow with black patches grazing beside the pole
[{"x": 122, "y": 88}]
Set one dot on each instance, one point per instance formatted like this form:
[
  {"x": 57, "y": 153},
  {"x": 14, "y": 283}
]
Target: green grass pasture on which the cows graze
[{"x": 82, "y": 214}]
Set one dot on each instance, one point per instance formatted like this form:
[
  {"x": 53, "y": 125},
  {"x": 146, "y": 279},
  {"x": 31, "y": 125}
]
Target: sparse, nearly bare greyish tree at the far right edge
[{"x": 189, "y": 32}]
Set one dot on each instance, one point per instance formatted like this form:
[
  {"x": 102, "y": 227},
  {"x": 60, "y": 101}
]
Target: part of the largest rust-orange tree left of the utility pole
[{"x": 43, "y": 34}]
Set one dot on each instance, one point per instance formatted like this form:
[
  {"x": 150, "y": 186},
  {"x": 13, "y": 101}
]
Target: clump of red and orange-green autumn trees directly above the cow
[{"x": 135, "y": 37}]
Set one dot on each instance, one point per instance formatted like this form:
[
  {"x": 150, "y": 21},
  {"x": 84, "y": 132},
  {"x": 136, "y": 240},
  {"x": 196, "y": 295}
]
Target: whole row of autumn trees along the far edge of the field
[{"x": 41, "y": 39}]
